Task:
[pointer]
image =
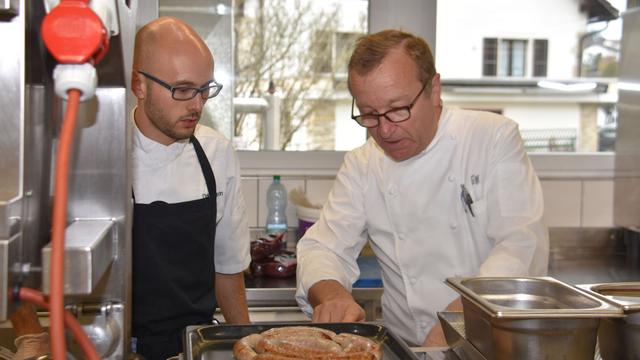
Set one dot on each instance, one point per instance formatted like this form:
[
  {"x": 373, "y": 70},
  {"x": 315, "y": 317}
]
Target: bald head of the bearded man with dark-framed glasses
[{"x": 169, "y": 56}]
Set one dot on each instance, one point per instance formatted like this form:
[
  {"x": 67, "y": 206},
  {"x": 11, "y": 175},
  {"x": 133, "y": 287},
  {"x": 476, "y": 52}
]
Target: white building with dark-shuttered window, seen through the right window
[{"x": 532, "y": 61}]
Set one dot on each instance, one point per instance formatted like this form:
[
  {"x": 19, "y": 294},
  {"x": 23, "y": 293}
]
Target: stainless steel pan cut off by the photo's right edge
[{"x": 619, "y": 338}]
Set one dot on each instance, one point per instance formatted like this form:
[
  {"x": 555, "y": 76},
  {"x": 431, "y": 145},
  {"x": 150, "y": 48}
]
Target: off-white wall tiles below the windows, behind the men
[{"x": 568, "y": 203}]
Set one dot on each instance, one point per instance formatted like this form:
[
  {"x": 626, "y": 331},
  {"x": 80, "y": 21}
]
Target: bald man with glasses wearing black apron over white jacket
[{"x": 190, "y": 234}]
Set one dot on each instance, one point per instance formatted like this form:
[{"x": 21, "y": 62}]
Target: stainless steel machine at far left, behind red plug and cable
[{"x": 97, "y": 230}]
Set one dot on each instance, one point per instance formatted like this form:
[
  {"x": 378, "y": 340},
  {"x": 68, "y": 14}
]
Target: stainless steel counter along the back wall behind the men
[{"x": 577, "y": 256}]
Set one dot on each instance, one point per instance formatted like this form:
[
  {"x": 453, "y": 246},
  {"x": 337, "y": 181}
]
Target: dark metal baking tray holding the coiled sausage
[{"x": 215, "y": 342}]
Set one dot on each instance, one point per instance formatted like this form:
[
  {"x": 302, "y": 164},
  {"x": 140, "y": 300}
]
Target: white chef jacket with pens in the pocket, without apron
[{"x": 415, "y": 220}]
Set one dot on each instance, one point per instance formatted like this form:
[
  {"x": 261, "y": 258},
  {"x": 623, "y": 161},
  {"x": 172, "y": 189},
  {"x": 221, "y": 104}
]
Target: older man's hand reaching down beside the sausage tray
[{"x": 333, "y": 303}]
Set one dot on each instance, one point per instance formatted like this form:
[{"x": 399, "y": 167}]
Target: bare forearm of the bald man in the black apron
[{"x": 232, "y": 298}]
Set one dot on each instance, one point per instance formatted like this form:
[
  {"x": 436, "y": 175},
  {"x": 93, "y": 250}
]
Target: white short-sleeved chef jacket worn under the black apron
[{"x": 172, "y": 174}]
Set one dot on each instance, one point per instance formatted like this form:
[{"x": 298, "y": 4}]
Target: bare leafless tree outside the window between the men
[{"x": 288, "y": 46}]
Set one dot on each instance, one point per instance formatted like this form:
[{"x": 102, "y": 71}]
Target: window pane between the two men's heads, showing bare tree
[{"x": 300, "y": 75}]
